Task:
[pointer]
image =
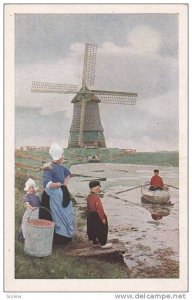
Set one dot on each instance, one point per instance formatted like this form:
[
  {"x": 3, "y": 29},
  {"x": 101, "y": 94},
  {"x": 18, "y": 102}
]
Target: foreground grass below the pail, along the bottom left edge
[{"x": 60, "y": 266}]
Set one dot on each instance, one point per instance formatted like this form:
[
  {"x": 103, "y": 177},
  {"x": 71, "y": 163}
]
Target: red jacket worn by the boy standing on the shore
[{"x": 94, "y": 204}]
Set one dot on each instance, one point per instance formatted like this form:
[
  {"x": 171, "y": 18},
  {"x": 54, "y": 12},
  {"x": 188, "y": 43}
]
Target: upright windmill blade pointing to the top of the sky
[{"x": 89, "y": 65}]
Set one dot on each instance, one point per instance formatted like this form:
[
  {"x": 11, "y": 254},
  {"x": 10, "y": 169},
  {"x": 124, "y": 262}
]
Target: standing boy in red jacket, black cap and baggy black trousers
[{"x": 97, "y": 224}]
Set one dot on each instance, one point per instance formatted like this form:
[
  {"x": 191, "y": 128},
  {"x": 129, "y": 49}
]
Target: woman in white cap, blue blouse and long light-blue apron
[{"x": 56, "y": 197}]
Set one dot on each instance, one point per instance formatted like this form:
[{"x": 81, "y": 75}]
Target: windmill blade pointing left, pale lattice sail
[{"x": 45, "y": 87}]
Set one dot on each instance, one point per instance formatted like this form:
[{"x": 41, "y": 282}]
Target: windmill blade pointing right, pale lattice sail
[{"x": 112, "y": 97}]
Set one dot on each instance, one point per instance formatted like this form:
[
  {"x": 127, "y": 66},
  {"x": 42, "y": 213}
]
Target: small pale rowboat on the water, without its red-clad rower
[{"x": 155, "y": 197}]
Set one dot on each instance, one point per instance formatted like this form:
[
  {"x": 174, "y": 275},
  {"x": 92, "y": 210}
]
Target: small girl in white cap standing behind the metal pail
[{"x": 31, "y": 201}]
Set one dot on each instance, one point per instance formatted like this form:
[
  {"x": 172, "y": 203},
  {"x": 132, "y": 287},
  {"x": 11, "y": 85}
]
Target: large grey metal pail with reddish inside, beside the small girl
[{"x": 39, "y": 237}]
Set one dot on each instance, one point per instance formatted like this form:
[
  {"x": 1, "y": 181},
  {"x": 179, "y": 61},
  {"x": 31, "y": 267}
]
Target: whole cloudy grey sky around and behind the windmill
[{"x": 136, "y": 53}]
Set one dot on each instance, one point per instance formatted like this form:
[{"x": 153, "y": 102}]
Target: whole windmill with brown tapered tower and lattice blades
[{"x": 86, "y": 129}]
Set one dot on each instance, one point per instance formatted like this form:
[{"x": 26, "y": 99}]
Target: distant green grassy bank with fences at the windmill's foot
[{"x": 107, "y": 155}]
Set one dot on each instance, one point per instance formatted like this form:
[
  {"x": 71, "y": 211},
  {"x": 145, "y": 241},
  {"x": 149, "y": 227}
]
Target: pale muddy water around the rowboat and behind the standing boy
[{"x": 148, "y": 242}]
